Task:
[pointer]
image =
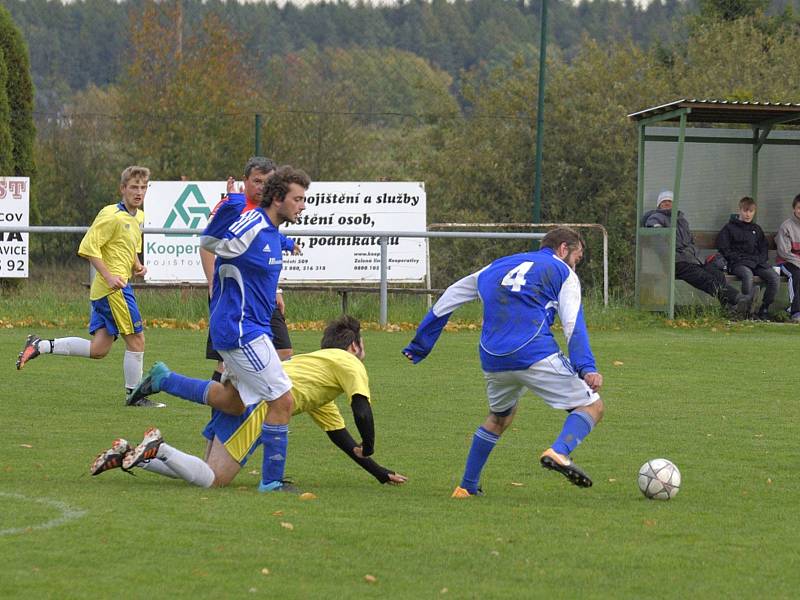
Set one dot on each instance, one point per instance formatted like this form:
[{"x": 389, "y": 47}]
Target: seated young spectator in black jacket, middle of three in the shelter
[{"x": 745, "y": 247}]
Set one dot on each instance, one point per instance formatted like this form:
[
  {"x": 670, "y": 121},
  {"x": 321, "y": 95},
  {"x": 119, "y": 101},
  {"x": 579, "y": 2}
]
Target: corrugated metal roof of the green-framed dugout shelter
[{"x": 723, "y": 111}]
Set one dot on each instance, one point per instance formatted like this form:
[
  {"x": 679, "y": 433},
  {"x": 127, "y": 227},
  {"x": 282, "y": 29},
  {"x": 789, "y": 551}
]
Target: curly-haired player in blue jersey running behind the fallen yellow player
[{"x": 249, "y": 261}]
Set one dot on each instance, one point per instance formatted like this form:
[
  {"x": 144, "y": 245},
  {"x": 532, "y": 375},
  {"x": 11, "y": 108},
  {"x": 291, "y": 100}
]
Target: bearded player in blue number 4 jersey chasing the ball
[{"x": 521, "y": 295}]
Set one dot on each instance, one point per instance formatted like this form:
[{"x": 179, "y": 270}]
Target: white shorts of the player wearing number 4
[{"x": 552, "y": 379}]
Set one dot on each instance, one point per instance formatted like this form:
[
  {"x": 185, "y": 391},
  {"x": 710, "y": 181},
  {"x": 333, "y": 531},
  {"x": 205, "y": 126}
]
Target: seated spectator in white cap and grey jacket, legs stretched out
[{"x": 689, "y": 266}]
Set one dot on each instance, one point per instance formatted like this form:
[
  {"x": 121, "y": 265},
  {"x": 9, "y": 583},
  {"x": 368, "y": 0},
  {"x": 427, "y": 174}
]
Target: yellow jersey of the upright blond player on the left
[{"x": 115, "y": 237}]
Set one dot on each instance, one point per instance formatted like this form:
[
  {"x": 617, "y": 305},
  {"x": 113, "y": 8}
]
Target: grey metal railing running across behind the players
[{"x": 383, "y": 235}]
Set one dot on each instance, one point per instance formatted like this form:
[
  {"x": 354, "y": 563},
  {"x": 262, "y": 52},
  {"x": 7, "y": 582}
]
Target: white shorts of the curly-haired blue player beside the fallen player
[{"x": 256, "y": 371}]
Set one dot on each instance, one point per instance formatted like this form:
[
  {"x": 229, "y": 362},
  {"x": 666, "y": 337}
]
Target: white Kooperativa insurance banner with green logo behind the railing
[{"x": 335, "y": 206}]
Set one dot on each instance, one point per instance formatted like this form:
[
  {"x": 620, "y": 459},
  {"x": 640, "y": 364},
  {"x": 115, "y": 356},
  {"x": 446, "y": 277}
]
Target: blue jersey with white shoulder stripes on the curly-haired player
[{"x": 246, "y": 273}]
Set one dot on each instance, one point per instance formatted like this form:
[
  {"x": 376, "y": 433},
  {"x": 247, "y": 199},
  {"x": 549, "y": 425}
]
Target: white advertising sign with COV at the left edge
[{"x": 14, "y": 210}]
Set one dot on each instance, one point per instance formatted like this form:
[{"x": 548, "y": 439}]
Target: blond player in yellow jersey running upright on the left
[{"x": 111, "y": 245}]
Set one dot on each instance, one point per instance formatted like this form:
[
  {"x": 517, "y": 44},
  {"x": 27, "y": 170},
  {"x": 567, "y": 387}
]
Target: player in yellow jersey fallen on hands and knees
[{"x": 317, "y": 379}]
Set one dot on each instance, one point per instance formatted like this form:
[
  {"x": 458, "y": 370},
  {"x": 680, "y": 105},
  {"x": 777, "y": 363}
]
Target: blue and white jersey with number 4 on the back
[{"x": 521, "y": 296}]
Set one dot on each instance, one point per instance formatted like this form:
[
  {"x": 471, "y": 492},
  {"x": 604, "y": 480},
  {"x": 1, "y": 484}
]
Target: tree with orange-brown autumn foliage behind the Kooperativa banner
[{"x": 186, "y": 101}]
